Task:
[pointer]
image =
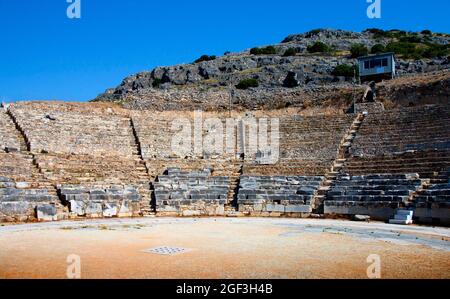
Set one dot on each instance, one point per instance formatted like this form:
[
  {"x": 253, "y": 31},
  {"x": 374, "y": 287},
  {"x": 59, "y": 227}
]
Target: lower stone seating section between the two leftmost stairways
[{"x": 87, "y": 175}]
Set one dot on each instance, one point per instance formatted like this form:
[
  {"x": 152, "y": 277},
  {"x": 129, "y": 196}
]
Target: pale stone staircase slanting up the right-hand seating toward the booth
[{"x": 338, "y": 164}]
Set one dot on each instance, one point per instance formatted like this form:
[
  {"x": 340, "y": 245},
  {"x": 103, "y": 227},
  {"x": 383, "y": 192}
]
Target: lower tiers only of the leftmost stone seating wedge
[{"x": 24, "y": 194}]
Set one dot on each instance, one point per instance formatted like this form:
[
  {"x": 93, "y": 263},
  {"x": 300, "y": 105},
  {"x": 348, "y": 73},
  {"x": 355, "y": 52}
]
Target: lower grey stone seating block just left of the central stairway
[{"x": 191, "y": 193}]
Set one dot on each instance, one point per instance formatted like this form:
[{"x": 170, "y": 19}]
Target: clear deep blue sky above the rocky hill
[{"x": 45, "y": 55}]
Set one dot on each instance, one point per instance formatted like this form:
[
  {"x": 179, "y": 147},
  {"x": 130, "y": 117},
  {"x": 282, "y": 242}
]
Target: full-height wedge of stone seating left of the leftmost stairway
[{"x": 25, "y": 195}]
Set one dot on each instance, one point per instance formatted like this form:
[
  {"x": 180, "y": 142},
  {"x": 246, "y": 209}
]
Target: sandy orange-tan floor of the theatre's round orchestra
[{"x": 223, "y": 248}]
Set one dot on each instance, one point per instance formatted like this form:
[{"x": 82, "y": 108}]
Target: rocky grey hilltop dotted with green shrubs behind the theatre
[{"x": 304, "y": 69}]
